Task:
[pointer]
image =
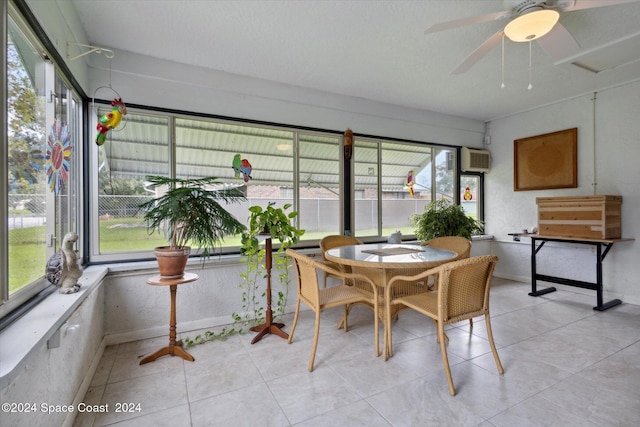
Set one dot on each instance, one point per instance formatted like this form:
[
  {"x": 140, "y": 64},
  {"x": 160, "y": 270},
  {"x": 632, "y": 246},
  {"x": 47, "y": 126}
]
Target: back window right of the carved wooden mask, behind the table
[{"x": 393, "y": 180}]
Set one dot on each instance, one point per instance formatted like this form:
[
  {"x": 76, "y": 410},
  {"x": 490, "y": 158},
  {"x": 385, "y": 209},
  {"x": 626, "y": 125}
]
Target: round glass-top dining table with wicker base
[{"x": 382, "y": 261}]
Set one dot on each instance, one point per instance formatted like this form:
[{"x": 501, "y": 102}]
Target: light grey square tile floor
[{"x": 565, "y": 365}]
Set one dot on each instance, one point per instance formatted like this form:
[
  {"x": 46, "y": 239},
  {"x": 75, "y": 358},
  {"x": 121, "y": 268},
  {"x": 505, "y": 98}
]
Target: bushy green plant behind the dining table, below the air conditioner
[{"x": 442, "y": 218}]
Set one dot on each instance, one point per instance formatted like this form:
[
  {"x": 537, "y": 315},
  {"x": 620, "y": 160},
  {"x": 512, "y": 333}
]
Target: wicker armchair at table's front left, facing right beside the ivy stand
[{"x": 320, "y": 299}]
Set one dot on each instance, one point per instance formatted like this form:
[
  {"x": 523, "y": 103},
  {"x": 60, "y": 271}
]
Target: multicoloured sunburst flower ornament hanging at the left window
[{"x": 58, "y": 156}]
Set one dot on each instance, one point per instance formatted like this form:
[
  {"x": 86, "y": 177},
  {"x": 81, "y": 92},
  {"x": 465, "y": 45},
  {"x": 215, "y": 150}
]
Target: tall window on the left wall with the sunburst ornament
[{"x": 42, "y": 144}]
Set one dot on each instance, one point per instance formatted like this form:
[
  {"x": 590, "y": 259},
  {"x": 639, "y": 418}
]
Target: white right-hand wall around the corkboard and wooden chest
[{"x": 617, "y": 152}]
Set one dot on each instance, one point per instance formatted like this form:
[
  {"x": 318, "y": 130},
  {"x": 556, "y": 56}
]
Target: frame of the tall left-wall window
[{"x": 12, "y": 304}]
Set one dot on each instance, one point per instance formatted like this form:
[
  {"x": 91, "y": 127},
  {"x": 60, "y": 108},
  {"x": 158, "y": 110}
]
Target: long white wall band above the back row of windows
[{"x": 148, "y": 81}]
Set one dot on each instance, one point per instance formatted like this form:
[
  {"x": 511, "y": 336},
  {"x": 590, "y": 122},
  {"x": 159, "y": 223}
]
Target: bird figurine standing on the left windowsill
[{"x": 62, "y": 268}]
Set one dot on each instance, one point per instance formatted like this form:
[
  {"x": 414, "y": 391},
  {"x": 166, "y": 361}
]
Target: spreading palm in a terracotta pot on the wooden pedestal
[{"x": 191, "y": 212}]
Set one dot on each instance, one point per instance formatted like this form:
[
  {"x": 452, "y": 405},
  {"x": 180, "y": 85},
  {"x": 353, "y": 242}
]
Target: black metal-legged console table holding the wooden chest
[{"x": 602, "y": 249}]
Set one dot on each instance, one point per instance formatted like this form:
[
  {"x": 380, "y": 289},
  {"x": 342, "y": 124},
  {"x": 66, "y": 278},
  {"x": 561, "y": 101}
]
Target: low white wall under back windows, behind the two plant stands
[{"x": 136, "y": 310}]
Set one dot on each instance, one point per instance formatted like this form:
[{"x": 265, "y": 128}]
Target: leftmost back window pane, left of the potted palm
[{"x": 138, "y": 147}]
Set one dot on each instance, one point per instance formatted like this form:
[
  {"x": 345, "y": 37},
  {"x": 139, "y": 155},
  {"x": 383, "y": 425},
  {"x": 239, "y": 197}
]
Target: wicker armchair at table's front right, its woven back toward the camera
[{"x": 463, "y": 293}]
